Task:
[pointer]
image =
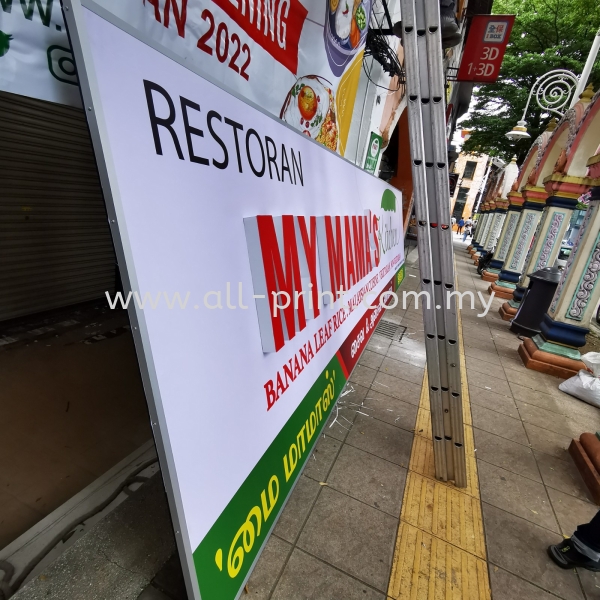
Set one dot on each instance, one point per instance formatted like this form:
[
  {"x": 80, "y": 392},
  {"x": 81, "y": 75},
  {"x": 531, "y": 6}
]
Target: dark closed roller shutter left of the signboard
[{"x": 55, "y": 244}]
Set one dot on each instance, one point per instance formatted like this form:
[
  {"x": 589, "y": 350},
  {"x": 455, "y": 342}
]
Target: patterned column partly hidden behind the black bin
[{"x": 564, "y": 192}]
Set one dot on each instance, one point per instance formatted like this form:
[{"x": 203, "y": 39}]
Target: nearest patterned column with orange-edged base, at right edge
[{"x": 565, "y": 325}]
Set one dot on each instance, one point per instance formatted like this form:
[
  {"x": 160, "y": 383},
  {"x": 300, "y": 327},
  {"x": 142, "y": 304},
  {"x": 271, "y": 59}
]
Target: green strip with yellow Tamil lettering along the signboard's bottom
[{"x": 225, "y": 555}]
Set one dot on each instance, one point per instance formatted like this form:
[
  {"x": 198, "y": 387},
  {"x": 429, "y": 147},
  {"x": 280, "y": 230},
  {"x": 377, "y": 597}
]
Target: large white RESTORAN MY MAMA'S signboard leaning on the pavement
[{"x": 219, "y": 211}]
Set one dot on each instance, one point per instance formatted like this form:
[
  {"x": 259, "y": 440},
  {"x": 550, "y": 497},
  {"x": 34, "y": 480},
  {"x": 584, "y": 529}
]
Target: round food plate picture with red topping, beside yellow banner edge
[{"x": 309, "y": 107}]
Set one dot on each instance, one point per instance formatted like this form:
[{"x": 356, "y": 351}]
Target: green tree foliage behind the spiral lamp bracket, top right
[{"x": 547, "y": 35}]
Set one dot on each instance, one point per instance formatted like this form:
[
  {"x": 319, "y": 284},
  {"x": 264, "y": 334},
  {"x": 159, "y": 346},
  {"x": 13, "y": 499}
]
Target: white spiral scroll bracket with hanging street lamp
[{"x": 552, "y": 92}]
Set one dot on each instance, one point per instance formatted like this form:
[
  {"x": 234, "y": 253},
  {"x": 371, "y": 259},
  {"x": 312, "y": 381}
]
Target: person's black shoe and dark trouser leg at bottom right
[{"x": 582, "y": 549}]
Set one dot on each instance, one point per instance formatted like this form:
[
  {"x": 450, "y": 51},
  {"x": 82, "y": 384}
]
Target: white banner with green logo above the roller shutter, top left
[{"x": 35, "y": 56}]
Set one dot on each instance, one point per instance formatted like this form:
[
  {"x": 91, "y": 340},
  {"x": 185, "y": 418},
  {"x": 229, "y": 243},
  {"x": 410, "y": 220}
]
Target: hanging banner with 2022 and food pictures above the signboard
[{"x": 298, "y": 59}]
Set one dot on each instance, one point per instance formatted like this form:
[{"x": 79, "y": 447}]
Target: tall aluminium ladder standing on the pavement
[{"x": 421, "y": 38}]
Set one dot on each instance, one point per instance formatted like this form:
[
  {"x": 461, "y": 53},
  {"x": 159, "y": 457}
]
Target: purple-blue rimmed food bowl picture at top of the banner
[{"x": 346, "y": 26}]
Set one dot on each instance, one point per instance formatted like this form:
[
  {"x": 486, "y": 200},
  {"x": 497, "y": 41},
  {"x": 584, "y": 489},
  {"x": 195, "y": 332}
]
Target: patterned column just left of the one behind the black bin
[{"x": 508, "y": 278}]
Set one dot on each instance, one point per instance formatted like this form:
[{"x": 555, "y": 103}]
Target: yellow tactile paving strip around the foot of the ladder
[{"x": 440, "y": 551}]
